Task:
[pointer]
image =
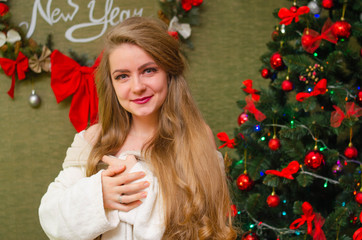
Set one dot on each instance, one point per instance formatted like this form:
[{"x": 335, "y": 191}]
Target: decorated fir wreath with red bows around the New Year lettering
[{"x": 72, "y": 75}]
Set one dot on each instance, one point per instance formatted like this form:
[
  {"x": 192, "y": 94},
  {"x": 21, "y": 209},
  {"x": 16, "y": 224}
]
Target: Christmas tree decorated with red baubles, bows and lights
[{"x": 298, "y": 174}]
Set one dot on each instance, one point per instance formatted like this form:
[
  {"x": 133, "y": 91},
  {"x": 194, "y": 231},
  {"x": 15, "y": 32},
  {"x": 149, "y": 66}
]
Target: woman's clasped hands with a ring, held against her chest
[{"x": 116, "y": 182}]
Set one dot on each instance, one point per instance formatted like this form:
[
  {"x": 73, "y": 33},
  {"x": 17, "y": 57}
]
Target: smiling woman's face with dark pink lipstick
[{"x": 140, "y": 84}]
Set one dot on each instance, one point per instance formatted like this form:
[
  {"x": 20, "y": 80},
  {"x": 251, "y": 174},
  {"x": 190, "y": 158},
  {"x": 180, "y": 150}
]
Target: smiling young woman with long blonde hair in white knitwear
[{"x": 174, "y": 185}]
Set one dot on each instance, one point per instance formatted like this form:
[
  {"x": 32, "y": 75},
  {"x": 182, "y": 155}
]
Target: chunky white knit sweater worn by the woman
[{"x": 72, "y": 208}]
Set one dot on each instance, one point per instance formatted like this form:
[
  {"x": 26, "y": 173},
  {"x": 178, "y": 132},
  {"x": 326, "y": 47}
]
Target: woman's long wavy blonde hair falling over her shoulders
[{"x": 182, "y": 156}]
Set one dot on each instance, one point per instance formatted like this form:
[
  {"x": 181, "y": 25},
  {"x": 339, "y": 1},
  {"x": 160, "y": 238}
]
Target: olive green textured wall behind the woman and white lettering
[{"x": 228, "y": 44}]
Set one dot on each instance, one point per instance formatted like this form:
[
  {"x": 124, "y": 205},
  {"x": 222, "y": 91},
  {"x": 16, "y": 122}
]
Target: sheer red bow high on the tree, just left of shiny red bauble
[{"x": 316, "y": 38}]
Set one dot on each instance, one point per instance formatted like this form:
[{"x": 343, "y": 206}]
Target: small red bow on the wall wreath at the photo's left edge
[{"x": 9, "y": 66}]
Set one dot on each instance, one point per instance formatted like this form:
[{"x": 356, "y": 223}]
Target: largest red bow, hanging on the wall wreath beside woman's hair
[{"x": 67, "y": 78}]
